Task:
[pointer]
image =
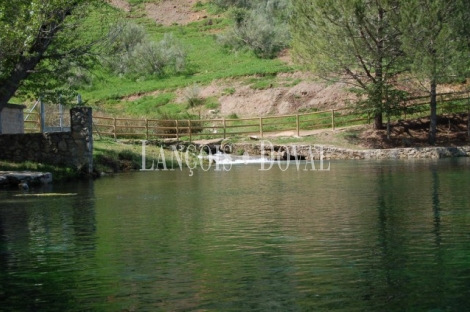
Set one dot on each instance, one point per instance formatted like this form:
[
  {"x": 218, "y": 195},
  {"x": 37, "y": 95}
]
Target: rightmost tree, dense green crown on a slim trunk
[{"x": 436, "y": 41}]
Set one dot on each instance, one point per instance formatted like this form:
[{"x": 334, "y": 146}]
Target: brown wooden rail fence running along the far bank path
[{"x": 259, "y": 126}]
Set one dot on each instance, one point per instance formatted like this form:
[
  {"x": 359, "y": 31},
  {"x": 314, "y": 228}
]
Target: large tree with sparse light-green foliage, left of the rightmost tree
[{"x": 357, "y": 40}]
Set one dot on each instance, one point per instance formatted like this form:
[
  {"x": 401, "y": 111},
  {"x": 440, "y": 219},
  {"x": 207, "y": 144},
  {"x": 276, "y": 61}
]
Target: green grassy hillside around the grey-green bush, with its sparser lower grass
[{"x": 208, "y": 62}]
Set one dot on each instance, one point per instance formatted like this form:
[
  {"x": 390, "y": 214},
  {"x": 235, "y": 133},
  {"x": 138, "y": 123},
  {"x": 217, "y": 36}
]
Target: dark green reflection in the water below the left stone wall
[{"x": 43, "y": 244}]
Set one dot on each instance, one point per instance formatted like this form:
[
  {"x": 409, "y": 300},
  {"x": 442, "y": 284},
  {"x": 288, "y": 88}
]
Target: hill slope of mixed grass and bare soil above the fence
[{"x": 255, "y": 88}]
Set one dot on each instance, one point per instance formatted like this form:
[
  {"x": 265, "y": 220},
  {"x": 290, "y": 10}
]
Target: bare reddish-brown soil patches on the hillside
[{"x": 282, "y": 98}]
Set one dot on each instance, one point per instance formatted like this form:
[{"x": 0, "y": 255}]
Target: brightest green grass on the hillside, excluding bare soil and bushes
[{"x": 207, "y": 61}]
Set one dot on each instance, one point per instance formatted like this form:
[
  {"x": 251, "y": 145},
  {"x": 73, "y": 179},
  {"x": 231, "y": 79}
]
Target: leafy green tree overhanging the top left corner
[{"x": 40, "y": 37}]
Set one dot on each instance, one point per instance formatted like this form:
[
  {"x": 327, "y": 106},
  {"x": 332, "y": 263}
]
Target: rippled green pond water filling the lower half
[{"x": 363, "y": 236}]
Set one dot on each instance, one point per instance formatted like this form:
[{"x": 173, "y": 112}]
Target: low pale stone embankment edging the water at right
[{"x": 332, "y": 152}]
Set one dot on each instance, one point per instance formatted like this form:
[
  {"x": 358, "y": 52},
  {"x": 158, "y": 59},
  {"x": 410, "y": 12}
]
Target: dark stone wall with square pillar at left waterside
[{"x": 73, "y": 149}]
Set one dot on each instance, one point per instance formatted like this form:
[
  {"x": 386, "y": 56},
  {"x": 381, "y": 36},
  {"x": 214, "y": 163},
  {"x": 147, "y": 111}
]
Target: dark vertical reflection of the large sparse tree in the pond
[{"x": 385, "y": 279}]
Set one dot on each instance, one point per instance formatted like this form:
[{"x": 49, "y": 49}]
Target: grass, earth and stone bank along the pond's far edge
[{"x": 407, "y": 141}]
